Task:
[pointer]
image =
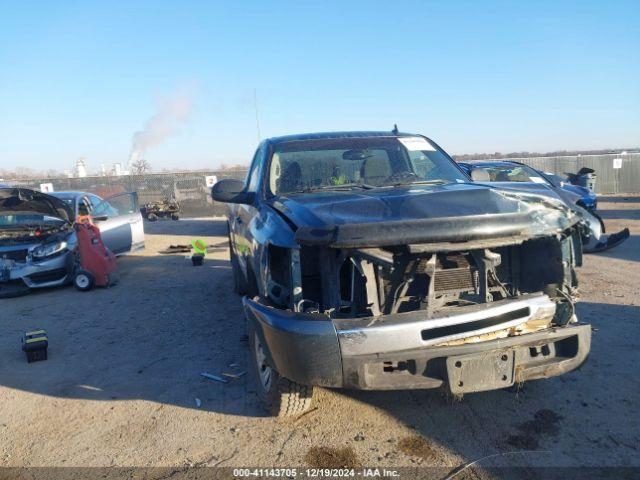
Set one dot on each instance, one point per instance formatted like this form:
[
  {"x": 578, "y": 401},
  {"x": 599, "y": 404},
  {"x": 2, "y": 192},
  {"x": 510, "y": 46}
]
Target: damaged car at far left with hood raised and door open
[{"x": 38, "y": 244}]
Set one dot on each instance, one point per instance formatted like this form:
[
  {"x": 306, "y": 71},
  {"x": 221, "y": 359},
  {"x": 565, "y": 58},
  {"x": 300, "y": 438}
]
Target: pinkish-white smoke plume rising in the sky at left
[{"x": 173, "y": 112}]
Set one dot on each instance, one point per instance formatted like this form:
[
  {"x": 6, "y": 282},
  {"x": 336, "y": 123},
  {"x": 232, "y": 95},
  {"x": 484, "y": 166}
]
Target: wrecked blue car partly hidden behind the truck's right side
[{"x": 510, "y": 174}]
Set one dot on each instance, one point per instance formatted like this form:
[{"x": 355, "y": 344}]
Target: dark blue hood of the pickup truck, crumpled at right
[{"x": 423, "y": 214}]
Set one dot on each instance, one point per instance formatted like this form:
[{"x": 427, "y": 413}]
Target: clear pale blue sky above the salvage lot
[{"x": 79, "y": 78}]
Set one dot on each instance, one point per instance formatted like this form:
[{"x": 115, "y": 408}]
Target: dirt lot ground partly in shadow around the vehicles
[{"x": 123, "y": 375}]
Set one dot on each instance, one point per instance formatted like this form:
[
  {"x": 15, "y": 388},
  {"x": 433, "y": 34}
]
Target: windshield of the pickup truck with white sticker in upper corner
[{"x": 369, "y": 162}]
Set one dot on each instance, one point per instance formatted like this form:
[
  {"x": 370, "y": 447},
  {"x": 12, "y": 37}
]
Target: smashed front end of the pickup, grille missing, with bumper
[{"x": 471, "y": 302}]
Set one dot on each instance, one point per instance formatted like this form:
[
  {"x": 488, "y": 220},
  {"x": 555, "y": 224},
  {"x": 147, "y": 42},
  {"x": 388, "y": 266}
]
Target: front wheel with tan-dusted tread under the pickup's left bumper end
[{"x": 281, "y": 397}]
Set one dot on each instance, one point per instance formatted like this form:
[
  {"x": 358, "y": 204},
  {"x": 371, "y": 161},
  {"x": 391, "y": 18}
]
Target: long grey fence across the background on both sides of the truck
[{"x": 616, "y": 174}]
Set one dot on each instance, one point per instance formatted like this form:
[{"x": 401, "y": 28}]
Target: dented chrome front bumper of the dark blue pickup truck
[{"x": 395, "y": 352}]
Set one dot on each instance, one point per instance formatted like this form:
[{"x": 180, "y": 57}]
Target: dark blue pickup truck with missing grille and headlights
[{"x": 369, "y": 260}]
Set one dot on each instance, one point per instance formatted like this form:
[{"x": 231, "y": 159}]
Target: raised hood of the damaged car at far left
[{"x": 24, "y": 201}]
